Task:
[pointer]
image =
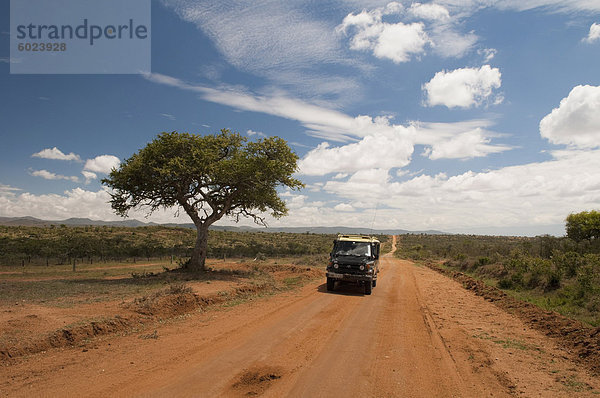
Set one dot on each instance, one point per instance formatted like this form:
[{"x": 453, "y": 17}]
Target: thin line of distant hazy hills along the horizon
[{"x": 74, "y": 222}]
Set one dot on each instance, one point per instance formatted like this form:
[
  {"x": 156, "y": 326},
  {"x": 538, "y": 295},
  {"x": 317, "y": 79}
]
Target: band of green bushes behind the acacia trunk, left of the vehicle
[{"x": 100, "y": 244}]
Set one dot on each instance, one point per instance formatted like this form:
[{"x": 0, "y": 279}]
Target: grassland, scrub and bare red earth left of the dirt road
[{"x": 62, "y": 285}]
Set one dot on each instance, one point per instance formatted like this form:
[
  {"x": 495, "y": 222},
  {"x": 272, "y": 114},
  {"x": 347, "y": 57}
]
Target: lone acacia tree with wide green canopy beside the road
[{"x": 208, "y": 177}]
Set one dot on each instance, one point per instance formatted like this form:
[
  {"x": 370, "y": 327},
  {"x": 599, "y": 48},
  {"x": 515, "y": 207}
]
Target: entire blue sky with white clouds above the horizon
[{"x": 458, "y": 115}]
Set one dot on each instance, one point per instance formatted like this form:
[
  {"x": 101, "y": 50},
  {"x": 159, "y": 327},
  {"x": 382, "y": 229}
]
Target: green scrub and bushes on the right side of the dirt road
[{"x": 555, "y": 273}]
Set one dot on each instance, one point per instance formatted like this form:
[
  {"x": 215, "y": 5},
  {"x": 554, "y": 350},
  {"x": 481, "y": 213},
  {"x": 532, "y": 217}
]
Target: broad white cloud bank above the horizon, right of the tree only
[{"x": 526, "y": 195}]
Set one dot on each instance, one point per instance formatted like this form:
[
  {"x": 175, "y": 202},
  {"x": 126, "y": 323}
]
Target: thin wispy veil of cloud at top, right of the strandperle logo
[{"x": 281, "y": 41}]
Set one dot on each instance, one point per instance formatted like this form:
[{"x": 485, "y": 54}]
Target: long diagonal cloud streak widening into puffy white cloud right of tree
[{"x": 390, "y": 145}]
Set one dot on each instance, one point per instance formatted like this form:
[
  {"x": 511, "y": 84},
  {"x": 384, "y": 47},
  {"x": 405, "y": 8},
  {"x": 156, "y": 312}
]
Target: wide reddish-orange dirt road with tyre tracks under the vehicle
[{"x": 419, "y": 334}]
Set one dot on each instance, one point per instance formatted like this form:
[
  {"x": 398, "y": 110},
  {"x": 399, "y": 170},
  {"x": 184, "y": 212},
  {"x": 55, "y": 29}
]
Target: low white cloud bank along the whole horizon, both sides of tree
[{"x": 528, "y": 195}]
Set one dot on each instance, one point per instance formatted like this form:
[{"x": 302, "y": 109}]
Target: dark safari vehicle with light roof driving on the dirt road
[{"x": 354, "y": 259}]
